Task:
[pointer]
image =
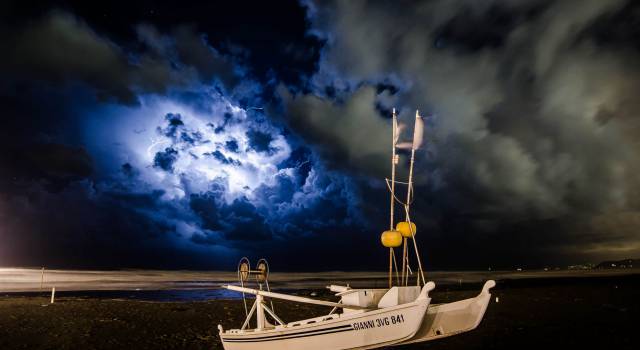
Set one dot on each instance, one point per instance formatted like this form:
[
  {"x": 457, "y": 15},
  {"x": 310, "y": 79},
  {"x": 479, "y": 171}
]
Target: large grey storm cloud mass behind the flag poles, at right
[{"x": 536, "y": 115}]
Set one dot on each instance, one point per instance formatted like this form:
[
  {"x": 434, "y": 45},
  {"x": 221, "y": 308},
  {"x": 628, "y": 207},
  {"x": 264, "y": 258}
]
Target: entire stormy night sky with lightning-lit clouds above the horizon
[{"x": 190, "y": 134}]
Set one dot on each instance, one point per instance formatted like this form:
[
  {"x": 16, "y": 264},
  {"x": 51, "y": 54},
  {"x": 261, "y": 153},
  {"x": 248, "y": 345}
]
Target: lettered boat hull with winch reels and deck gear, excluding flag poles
[{"x": 370, "y": 318}]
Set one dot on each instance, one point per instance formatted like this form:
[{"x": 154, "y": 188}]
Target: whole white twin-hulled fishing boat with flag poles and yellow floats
[{"x": 361, "y": 318}]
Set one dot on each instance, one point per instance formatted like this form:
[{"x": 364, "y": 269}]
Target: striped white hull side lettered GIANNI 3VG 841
[{"x": 359, "y": 330}]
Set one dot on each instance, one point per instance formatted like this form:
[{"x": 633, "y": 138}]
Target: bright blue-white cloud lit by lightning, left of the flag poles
[{"x": 230, "y": 176}]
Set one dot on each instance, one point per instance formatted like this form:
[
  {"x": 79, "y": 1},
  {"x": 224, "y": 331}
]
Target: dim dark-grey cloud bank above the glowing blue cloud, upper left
[{"x": 60, "y": 47}]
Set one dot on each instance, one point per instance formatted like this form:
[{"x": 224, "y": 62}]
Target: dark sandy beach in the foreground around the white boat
[{"x": 541, "y": 313}]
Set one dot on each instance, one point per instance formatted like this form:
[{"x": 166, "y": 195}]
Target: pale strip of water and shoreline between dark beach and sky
[{"x": 17, "y": 280}]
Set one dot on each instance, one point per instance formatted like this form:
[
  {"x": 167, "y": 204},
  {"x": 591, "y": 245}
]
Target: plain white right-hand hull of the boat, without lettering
[{"x": 445, "y": 320}]
